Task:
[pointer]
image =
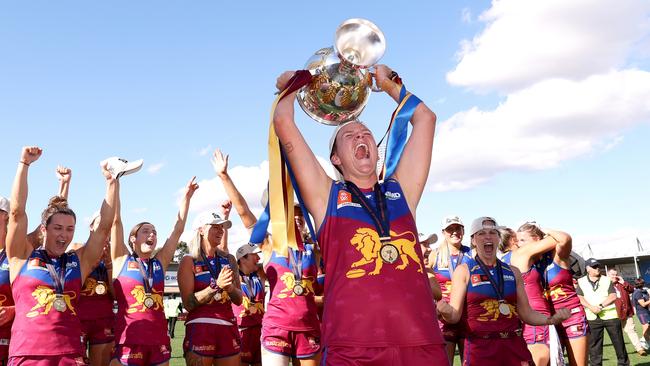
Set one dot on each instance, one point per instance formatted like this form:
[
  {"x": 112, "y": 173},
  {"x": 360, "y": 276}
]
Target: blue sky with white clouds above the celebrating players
[{"x": 542, "y": 109}]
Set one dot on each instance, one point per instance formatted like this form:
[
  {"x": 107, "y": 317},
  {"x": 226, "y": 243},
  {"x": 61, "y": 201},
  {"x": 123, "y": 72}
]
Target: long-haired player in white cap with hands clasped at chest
[{"x": 209, "y": 286}]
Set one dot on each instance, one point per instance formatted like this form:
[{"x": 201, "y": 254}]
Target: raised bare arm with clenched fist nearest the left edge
[{"x": 18, "y": 249}]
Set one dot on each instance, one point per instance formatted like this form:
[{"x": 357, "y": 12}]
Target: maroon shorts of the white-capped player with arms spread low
[{"x": 497, "y": 352}]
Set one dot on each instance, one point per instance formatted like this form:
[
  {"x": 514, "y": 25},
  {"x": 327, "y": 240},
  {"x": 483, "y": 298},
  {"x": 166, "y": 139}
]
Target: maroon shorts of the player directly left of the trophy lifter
[{"x": 298, "y": 344}]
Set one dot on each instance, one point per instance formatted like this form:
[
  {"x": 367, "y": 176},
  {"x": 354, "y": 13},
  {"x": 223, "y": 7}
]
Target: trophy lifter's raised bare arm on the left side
[{"x": 313, "y": 181}]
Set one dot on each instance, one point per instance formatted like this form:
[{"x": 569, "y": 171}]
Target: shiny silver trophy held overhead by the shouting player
[{"x": 342, "y": 82}]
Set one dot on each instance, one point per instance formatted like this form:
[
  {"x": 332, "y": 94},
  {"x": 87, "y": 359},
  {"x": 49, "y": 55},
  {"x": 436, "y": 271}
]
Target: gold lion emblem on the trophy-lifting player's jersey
[{"x": 367, "y": 242}]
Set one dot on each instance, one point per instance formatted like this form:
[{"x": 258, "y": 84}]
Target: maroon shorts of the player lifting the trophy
[{"x": 432, "y": 354}]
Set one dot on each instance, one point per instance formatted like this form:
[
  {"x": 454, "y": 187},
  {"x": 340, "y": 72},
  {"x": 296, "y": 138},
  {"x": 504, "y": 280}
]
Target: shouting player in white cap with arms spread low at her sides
[{"x": 496, "y": 303}]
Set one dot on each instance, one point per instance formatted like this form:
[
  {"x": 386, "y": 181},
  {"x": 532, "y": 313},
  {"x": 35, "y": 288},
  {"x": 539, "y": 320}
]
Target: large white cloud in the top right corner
[{"x": 526, "y": 41}]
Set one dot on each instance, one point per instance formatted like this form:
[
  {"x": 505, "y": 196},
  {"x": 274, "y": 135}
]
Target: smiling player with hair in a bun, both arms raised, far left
[{"x": 46, "y": 282}]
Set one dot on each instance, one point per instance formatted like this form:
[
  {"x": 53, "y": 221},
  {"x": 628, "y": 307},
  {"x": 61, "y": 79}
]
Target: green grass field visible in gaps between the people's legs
[{"x": 609, "y": 356}]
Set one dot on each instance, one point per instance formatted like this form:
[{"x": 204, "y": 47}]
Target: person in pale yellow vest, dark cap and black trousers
[{"x": 597, "y": 295}]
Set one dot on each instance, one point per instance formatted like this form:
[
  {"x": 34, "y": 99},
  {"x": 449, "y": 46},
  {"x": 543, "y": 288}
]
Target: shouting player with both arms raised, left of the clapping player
[{"x": 138, "y": 280}]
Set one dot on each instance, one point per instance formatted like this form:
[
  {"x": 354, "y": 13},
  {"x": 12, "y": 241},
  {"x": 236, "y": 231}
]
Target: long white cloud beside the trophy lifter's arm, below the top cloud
[{"x": 539, "y": 127}]
